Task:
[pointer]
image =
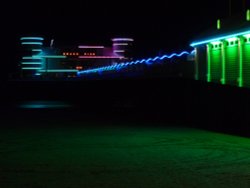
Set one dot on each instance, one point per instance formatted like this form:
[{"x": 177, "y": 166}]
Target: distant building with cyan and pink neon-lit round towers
[{"x": 41, "y": 61}]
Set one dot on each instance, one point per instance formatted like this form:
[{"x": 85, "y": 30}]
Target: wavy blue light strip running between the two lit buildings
[{"x": 148, "y": 61}]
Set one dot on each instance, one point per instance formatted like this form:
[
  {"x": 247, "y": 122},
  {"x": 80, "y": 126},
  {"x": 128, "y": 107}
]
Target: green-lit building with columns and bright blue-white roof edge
[{"x": 223, "y": 55}]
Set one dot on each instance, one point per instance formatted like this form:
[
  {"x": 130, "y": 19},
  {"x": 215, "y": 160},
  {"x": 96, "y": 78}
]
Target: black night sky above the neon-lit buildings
[{"x": 157, "y": 26}]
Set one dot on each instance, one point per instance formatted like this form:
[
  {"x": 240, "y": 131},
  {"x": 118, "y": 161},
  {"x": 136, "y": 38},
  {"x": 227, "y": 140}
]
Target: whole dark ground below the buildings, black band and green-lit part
[{"x": 133, "y": 133}]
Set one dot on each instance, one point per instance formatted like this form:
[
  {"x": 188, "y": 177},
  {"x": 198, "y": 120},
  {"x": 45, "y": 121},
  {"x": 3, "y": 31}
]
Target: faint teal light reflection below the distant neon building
[{"x": 44, "y": 104}]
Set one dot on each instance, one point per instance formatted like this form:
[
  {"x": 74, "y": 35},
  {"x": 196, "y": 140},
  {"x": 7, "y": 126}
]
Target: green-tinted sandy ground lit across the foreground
[{"x": 115, "y": 155}]
